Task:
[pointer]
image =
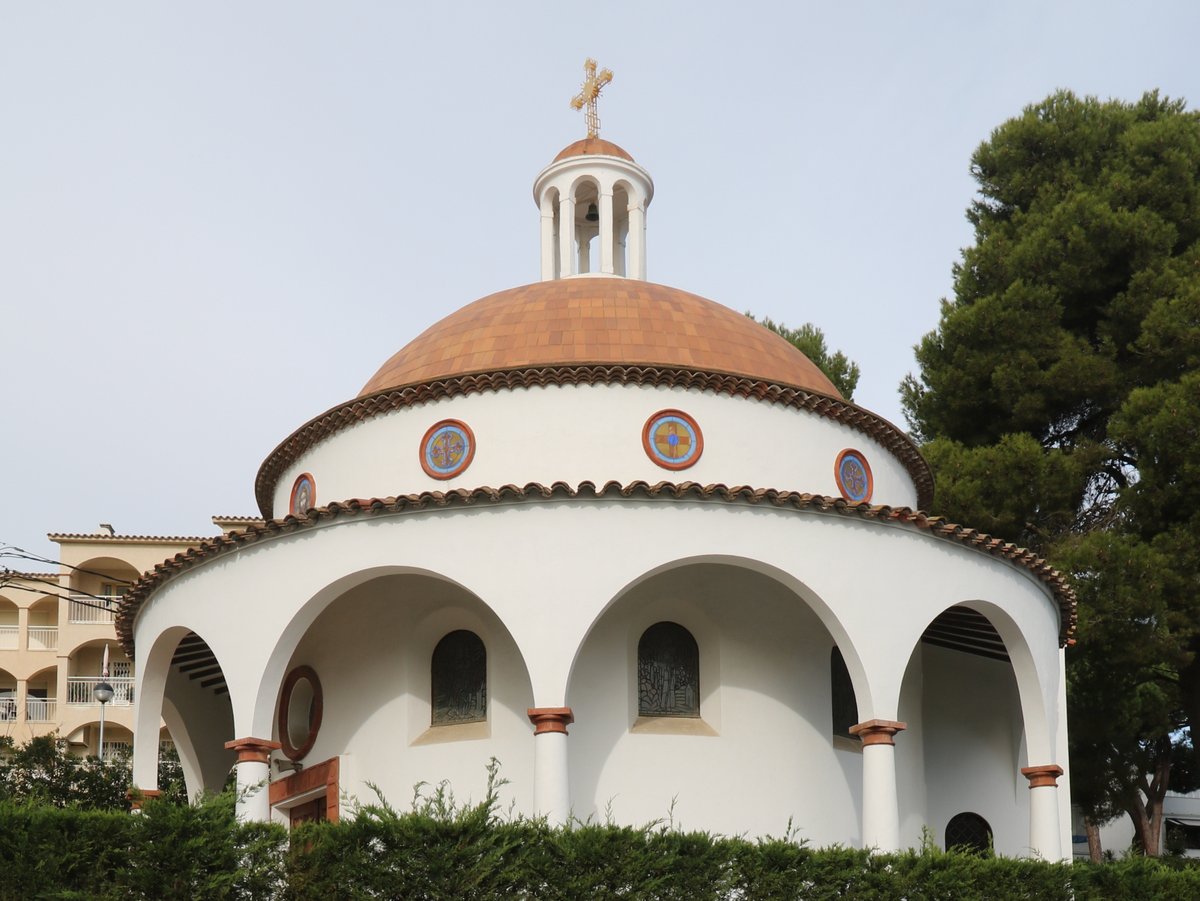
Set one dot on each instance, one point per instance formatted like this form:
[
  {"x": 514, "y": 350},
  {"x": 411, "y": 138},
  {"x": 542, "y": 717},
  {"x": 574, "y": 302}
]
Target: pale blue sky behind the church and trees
[{"x": 218, "y": 220}]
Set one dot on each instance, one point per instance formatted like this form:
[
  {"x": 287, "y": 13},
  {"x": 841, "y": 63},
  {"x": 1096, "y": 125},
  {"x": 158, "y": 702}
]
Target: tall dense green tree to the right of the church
[{"x": 1060, "y": 407}]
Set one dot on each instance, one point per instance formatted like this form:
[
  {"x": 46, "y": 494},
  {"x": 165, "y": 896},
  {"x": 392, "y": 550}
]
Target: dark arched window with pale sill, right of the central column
[{"x": 668, "y": 672}]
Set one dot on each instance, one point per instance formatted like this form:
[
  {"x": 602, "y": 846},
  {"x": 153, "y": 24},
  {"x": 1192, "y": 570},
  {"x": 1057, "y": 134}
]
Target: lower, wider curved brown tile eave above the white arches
[{"x": 937, "y": 527}]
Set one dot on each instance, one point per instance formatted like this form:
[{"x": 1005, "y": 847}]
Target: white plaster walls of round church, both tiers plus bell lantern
[{"x": 561, "y": 584}]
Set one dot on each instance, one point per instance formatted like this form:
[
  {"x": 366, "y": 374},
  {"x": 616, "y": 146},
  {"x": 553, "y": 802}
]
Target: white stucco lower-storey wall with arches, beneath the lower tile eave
[{"x": 560, "y": 591}]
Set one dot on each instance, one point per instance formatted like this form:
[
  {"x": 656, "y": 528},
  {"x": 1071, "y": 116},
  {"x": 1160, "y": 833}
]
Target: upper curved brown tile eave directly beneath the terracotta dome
[{"x": 383, "y": 403}]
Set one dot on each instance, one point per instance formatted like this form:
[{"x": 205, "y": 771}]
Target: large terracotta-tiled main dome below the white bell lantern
[{"x": 573, "y": 322}]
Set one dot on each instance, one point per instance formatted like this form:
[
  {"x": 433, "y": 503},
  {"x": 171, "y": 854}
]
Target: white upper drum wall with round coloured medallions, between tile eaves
[{"x": 575, "y": 434}]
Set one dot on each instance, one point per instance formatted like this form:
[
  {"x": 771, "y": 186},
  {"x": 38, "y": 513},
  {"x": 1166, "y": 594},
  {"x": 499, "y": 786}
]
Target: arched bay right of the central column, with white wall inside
[{"x": 765, "y": 701}]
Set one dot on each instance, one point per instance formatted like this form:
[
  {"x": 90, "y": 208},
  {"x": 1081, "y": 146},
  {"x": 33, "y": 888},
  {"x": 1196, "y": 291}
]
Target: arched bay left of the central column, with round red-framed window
[{"x": 369, "y": 640}]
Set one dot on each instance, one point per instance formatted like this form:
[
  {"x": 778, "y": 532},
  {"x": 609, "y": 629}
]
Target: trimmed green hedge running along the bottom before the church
[{"x": 202, "y": 852}]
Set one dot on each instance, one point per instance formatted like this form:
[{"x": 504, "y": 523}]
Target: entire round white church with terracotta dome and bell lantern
[{"x": 635, "y": 548}]
